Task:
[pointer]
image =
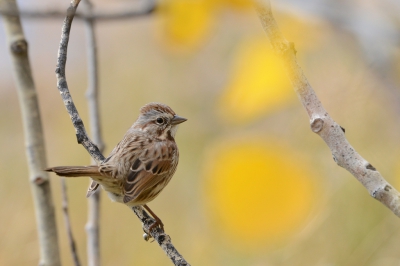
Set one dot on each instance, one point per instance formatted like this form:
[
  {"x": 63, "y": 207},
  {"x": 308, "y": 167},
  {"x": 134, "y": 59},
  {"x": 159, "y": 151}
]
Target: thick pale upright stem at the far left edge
[{"x": 34, "y": 143}]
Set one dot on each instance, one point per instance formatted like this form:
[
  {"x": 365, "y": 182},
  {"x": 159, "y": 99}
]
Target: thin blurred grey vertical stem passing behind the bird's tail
[{"x": 92, "y": 225}]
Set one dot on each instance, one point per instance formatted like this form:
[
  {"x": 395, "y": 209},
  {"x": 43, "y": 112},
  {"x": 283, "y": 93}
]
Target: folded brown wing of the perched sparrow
[{"x": 151, "y": 168}]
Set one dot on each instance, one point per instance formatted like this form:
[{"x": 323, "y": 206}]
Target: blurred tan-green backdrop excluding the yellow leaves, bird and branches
[{"x": 346, "y": 226}]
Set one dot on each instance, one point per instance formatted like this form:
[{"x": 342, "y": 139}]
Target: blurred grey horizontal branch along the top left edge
[{"x": 104, "y": 15}]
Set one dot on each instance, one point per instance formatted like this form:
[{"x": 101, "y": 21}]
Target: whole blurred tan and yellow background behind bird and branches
[{"x": 254, "y": 185}]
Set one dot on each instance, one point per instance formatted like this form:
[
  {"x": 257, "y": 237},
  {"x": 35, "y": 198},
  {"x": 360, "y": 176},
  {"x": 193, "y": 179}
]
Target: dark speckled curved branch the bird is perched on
[{"x": 162, "y": 239}]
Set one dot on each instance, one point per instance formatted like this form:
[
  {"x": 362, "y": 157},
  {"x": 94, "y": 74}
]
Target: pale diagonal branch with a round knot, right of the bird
[{"x": 321, "y": 123}]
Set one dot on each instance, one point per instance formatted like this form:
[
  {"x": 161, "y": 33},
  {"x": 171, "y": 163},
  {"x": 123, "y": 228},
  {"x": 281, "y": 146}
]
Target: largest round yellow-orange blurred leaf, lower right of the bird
[{"x": 257, "y": 192}]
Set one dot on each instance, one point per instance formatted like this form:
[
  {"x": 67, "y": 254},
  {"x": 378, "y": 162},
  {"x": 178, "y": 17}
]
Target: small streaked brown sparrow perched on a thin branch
[{"x": 141, "y": 164}]
